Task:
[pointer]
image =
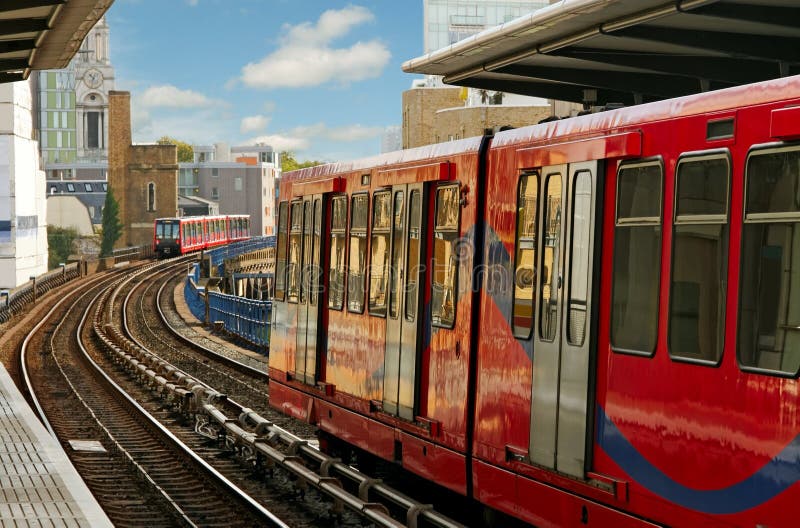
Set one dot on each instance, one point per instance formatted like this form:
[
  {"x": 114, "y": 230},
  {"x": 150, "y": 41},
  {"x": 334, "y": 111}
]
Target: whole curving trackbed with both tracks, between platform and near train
[{"x": 184, "y": 436}]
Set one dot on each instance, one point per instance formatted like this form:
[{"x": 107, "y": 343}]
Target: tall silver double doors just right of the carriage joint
[{"x": 560, "y": 413}]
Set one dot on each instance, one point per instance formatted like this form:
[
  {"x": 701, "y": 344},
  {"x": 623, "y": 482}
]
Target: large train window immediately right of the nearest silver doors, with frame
[{"x": 637, "y": 258}]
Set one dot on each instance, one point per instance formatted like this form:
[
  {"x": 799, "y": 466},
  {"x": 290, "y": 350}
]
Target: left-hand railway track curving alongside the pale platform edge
[{"x": 134, "y": 466}]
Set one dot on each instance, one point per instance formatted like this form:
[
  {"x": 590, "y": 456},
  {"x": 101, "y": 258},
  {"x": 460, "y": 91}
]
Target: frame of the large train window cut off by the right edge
[{"x": 759, "y": 218}]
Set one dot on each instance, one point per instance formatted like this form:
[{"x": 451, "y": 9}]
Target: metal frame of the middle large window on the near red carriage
[{"x": 689, "y": 219}]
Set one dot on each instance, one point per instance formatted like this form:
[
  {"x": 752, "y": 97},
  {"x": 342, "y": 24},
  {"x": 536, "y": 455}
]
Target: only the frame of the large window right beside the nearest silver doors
[{"x": 638, "y": 222}]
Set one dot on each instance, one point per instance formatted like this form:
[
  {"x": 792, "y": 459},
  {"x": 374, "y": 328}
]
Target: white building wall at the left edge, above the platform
[{"x": 23, "y": 225}]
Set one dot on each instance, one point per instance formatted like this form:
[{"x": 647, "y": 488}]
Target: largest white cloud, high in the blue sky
[{"x": 306, "y": 57}]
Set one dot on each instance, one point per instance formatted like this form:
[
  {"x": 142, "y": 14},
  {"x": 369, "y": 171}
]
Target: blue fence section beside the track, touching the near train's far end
[{"x": 246, "y": 318}]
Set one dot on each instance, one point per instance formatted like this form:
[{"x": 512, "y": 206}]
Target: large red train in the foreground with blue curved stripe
[{"x": 587, "y": 322}]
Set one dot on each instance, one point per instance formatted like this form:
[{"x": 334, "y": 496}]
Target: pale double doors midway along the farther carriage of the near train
[{"x": 406, "y": 275}]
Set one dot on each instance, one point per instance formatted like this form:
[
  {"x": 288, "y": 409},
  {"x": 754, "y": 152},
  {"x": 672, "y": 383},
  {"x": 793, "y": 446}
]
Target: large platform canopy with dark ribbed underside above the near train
[{"x": 626, "y": 51}]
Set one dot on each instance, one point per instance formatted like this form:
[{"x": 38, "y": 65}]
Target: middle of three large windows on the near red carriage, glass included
[{"x": 699, "y": 259}]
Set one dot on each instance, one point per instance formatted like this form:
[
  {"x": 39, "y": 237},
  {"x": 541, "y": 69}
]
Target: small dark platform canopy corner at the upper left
[{"x": 43, "y": 34}]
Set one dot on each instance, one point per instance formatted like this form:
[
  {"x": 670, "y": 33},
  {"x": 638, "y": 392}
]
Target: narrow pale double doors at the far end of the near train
[{"x": 310, "y": 289}]
